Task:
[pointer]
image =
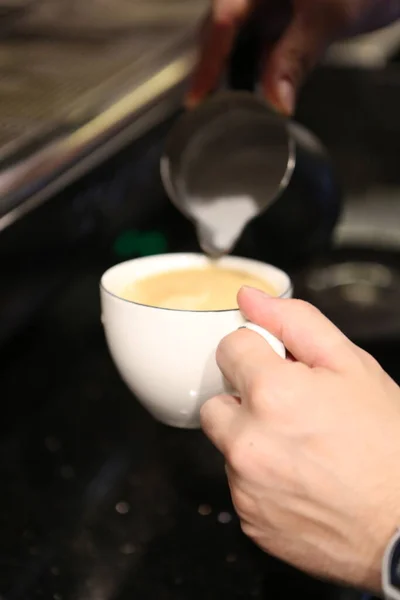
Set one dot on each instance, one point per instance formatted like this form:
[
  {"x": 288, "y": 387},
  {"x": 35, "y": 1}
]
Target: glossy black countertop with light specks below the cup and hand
[{"x": 101, "y": 502}]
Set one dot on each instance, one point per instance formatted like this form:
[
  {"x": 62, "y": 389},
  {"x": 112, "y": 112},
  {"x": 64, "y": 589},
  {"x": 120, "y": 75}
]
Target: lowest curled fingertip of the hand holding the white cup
[{"x": 218, "y": 420}]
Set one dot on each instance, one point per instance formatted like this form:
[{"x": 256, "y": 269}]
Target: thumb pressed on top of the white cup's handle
[{"x": 306, "y": 333}]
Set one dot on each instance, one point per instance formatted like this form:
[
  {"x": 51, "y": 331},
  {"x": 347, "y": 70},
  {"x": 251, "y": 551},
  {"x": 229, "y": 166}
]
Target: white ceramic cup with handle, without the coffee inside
[{"x": 167, "y": 357}]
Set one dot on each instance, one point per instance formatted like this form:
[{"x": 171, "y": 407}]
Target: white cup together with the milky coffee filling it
[{"x": 162, "y": 331}]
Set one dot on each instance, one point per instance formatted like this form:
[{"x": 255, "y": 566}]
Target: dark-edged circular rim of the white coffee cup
[{"x": 186, "y": 310}]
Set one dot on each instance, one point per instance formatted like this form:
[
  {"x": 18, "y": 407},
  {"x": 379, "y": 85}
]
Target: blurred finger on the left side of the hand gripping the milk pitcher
[{"x": 219, "y": 37}]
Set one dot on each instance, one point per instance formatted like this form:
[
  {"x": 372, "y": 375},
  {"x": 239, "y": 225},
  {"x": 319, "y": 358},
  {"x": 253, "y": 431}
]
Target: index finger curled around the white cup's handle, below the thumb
[{"x": 243, "y": 357}]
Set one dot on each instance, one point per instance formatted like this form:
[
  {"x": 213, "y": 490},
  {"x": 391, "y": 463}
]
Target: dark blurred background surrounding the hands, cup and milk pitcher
[{"x": 98, "y": 501}]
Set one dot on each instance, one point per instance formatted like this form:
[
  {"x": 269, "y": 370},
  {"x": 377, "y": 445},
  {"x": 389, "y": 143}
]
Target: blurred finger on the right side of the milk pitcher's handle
[{"x": 293, "y": 57}]
